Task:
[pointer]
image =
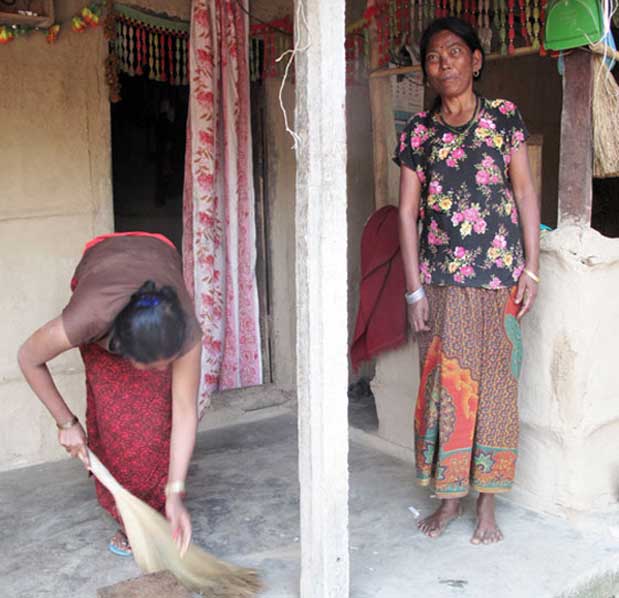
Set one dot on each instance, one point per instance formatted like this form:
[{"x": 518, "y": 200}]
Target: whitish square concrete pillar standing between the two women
[{"x": 321, "y": 283}]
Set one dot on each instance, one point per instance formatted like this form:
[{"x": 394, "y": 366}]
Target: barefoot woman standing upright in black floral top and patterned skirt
[{"x": 470, "y": 278}]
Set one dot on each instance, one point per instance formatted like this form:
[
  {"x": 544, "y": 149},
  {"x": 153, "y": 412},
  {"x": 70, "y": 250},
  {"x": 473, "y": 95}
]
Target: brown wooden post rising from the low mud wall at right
[{"x": 576, "y": 156}]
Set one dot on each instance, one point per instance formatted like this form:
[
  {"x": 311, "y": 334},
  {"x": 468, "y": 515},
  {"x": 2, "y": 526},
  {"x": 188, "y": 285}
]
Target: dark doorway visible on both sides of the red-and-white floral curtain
[{"x": 148, "y": 158}]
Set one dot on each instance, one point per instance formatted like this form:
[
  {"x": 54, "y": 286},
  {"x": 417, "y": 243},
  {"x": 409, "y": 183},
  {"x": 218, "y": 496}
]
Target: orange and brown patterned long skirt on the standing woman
[{"x": 466, "y": 419}]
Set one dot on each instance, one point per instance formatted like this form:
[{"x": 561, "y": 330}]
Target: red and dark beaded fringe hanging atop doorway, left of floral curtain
[{"x": 151, "y": 45}]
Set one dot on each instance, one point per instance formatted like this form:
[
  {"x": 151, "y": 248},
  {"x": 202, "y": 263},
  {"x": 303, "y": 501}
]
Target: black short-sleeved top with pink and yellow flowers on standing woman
[{"x": 470, "y": 235}]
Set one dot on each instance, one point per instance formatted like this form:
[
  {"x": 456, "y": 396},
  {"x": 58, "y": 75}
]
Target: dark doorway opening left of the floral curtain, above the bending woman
[{"x": 148, "y": 154}]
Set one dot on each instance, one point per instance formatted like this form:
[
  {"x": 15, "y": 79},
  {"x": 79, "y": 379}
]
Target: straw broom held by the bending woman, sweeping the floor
[{"x": 154, "y": 549}]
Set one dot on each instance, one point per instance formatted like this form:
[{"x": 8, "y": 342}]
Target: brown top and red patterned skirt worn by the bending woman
[{"x": 128, "y": 410}]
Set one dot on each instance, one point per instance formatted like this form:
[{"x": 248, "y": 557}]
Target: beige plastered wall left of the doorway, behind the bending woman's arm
[{"x": 56, "y": 194}]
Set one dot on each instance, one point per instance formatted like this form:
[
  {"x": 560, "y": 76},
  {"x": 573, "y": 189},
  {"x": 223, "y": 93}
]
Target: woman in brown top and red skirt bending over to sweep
[{"x": 134, "y": 323}]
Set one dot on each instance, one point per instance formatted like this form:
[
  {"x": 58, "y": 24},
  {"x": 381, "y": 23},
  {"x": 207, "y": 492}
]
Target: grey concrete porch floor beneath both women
[{"x": 244, "y": 502}]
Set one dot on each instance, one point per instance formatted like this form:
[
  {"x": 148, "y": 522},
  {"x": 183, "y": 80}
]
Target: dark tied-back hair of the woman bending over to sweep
[{"x": 151, "y": 326}]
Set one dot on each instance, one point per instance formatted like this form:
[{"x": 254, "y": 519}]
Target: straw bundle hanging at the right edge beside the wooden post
[{"x": 605, "y": 110}]
